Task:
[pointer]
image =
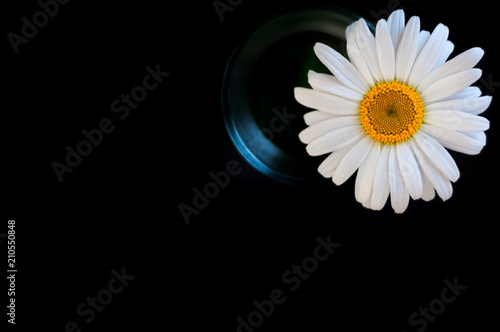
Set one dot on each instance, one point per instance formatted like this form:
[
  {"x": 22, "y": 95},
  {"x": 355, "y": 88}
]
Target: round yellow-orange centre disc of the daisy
[{"x": 391, "y": 112}]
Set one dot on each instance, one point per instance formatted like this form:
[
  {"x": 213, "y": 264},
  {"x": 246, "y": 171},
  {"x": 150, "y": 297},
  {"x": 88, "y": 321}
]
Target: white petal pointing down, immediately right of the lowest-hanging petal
[{"x": 409, "y": 170}]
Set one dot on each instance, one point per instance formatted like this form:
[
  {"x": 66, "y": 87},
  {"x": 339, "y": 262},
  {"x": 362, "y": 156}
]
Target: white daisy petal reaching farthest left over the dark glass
[{"x": 325, "y": 102}]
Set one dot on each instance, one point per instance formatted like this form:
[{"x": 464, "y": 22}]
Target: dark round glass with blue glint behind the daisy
[{"x": 260, "y": 111}]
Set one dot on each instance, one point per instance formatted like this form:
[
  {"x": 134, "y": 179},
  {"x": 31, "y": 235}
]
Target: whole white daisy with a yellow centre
[{"x": 392, "y": 111}]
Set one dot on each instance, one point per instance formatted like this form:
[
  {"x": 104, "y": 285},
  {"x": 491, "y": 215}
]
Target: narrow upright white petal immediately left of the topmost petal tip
[{"x": 385, "y": 51}]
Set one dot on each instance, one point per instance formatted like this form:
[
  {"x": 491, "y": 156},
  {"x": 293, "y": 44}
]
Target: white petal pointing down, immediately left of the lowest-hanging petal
[{"x": 381, "y": 182}]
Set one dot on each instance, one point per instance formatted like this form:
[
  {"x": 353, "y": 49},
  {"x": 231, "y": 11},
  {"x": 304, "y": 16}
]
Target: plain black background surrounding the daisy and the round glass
[{"x": 120, "y": 207}]
